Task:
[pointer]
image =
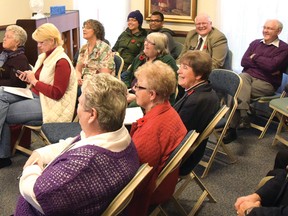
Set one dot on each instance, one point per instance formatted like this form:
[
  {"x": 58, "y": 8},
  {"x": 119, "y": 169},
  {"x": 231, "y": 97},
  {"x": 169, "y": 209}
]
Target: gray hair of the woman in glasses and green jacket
[{"x": 161, "y": 42}]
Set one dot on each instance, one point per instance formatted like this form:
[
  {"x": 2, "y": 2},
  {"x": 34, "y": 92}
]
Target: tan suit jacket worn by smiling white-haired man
[{"x": 216, "y": 46}]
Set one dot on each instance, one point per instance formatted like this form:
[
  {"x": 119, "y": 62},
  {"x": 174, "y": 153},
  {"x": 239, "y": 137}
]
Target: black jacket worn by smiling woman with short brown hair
[{"x": 196, "y": 109}]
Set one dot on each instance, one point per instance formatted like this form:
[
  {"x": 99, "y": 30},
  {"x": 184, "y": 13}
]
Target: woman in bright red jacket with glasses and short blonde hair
[{"x": 158, "y": 133}]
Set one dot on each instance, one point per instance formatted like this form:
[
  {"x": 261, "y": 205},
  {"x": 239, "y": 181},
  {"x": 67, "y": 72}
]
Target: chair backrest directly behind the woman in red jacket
[{"x": 176, "y": 156}]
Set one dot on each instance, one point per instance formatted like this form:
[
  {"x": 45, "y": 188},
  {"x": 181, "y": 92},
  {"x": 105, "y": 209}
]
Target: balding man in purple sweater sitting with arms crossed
[{"x": 263, "y": 64}]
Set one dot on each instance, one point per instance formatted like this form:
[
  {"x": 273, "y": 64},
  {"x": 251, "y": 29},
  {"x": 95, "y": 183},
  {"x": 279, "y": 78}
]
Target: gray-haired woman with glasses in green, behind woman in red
[{"x": 155, "y": 48}]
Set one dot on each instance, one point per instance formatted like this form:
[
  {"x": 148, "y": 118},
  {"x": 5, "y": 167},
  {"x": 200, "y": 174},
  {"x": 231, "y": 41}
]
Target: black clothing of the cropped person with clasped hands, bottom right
[{"x": 274, "y": 196}]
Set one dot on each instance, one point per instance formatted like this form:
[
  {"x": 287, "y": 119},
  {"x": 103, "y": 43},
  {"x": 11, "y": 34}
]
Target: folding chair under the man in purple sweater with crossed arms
[{"x": 261, "y": 105}]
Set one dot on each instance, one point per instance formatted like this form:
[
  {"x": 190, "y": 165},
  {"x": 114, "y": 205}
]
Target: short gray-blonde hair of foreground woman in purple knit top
[{"x": 107, "y": 95}]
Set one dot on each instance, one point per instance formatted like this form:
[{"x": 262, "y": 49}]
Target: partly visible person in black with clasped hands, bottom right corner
[{"x": 270, "y": 199}]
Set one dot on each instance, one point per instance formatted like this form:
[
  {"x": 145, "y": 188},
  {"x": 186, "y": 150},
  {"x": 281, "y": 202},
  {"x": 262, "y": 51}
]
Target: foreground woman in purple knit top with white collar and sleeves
[{"x": 82, "y": 175}]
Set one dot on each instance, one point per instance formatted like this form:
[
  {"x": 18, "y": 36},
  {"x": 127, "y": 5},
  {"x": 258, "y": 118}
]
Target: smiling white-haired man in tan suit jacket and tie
[{"x": 214, "y": 41}]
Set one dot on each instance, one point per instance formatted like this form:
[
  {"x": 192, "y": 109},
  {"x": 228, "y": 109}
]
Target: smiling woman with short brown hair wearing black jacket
[{"x": 200, "y": 102}]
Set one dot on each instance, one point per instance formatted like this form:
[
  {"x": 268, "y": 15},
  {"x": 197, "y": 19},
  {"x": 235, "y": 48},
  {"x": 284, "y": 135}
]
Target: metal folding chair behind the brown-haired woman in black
[{"x": 228, "y": 83}]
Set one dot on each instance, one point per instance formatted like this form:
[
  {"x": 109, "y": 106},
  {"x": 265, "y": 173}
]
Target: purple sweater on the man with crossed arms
[{"x": 269, "y": 62}]
